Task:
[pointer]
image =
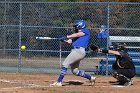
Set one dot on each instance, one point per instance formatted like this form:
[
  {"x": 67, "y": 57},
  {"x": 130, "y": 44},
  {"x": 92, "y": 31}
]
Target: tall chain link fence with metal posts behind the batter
[{"x": 21, "y": 22}]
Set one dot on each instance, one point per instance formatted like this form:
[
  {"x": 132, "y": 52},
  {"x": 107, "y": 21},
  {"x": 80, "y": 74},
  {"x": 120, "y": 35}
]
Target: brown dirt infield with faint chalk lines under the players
[{"x": 39, "y": 83}]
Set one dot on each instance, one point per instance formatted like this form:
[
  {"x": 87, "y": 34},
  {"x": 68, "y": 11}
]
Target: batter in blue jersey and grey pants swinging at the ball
[{"x": 79, "y": 41}]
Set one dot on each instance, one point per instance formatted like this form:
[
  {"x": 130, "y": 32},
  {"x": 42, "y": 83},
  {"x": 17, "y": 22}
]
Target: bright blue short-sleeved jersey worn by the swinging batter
[{"x": 83, "y": 40}]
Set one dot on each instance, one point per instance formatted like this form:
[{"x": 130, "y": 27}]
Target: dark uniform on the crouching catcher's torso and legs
[{"x": 123, "y": 68}]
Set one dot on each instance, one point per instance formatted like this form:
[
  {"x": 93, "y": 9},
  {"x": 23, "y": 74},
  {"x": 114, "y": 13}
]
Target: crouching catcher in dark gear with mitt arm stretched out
[{"x": 123, "y": 68}]
